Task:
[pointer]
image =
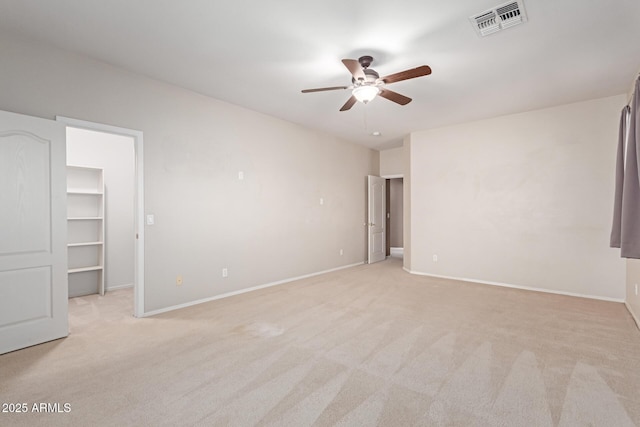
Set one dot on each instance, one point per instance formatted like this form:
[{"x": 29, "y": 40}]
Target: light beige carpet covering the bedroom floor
[{"x": 367, "y": 346}]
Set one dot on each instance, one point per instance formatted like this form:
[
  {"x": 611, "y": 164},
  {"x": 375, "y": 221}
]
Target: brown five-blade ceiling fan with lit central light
[{"x": 366, "y": 83}]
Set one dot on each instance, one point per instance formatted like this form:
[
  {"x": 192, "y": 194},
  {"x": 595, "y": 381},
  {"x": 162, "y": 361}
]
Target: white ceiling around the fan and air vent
[{"x": 261, "y": 54}]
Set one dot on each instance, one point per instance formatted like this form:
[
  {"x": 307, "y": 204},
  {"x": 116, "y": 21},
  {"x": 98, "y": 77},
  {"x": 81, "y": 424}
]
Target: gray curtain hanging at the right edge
[{"x": 626, "y": 225}]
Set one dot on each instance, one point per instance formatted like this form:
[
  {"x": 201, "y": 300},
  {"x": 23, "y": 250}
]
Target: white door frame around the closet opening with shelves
[{"x": 138, "y": 144}]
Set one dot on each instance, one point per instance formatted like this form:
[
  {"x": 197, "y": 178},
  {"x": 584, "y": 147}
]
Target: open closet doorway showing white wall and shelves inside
[{"x": 107, "y": 158}]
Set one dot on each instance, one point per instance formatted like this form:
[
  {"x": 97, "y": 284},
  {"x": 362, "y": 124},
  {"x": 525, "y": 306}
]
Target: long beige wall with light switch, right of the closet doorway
[{"x": 268, "y": 227}]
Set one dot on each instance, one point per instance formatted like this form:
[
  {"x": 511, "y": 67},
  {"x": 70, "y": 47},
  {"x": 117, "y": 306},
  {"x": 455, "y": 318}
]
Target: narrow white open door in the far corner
[{"x": 376, "y": 198}]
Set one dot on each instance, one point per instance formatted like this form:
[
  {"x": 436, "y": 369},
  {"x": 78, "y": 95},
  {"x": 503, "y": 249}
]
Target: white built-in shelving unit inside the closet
[{"x": 85, "y": 225}]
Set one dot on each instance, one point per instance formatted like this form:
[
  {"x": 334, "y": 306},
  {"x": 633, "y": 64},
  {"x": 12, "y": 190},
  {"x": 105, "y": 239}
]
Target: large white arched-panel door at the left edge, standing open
[{"x": 33, "y": 256}]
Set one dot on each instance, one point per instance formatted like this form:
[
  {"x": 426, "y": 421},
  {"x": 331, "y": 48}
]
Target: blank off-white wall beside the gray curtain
[{"x": 524, "y": 200}]
